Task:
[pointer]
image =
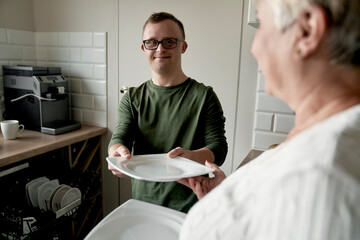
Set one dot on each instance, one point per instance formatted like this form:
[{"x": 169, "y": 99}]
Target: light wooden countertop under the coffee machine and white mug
[{"x": 31, "y": 143}]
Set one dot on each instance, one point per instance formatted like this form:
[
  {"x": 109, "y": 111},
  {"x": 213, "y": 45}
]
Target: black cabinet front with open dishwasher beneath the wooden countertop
[{"x": 78, "y": 165}]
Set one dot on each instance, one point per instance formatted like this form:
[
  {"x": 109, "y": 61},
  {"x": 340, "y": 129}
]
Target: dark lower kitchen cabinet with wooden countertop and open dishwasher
[{"x": 74, "y": 159}]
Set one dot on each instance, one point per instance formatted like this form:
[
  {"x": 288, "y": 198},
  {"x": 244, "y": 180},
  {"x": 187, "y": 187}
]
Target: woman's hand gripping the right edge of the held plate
[{"x": 202, "y": 185}]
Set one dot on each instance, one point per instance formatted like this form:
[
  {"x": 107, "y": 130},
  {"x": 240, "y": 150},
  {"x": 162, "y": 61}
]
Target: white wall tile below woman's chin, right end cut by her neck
[{"x": 266, "y": 103}]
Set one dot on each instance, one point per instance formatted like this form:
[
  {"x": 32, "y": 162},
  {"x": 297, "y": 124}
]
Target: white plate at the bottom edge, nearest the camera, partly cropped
[{"x": 136, "y": 220}]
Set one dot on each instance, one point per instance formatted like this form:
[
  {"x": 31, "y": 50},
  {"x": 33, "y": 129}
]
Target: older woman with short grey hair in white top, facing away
[{"x": 309, "y": 186}]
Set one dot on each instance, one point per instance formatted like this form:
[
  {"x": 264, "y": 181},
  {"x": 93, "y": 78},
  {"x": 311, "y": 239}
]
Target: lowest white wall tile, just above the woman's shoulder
[{"x": 262, "y": 140}]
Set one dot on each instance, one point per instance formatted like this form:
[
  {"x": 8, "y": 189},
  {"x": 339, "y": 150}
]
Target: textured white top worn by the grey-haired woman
[{"x": 307, "y": 188}]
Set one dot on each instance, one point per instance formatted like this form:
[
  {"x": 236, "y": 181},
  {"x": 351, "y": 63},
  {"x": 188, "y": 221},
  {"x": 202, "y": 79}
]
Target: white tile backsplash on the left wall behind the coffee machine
[{"x": 81, "y": 57}]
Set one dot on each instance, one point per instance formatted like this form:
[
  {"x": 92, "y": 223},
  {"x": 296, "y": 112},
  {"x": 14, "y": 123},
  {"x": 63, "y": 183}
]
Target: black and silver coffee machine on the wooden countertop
[{"x": 38, "y": 98}]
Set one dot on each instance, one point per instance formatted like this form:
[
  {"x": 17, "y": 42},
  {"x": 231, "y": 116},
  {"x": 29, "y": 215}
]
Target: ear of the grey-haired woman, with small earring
[{"x": 313, "y": 23}]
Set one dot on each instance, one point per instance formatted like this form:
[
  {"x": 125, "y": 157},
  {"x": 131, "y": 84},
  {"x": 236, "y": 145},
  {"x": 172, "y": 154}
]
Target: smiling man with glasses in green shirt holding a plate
[{"x": 171, "y": 113}]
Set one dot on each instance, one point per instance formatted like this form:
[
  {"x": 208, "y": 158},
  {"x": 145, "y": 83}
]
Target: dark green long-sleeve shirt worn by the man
[{"x": 154, "y": 119}]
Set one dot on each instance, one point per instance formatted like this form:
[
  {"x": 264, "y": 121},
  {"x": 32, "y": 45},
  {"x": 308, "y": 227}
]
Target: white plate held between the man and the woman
[{"x": 158, "y": 167}]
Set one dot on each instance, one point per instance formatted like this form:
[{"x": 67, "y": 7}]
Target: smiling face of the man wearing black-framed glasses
[{"x": 163, "y": 60}]
